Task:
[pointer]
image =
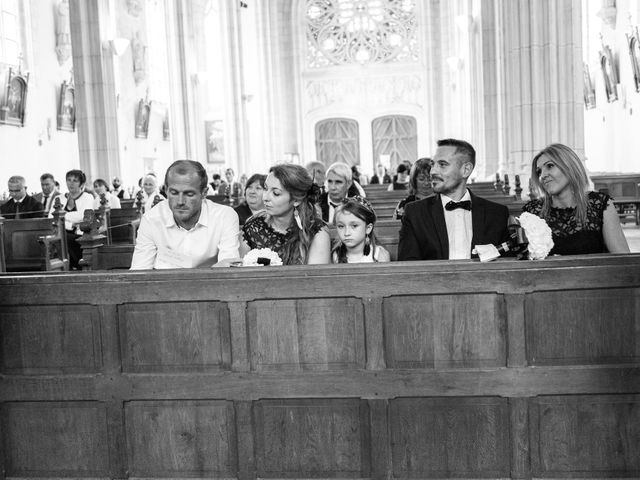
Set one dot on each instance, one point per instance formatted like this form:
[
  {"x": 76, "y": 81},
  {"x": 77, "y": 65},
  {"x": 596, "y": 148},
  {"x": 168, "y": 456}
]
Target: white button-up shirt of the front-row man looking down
[{"x": 161, "y": 243}]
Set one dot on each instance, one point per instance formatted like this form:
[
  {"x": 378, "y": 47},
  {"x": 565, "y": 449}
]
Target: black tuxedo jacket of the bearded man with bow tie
[{"x": 423, "y": 235}]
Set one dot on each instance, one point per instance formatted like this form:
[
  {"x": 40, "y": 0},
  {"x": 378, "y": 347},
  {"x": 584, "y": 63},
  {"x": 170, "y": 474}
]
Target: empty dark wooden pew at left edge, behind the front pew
[{"x": 33, "y": 244}]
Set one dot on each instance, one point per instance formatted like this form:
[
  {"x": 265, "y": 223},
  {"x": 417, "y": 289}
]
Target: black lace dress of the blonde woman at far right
[{"x": 569, "y": 237}]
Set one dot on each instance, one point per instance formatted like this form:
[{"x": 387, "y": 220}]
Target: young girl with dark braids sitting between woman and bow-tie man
[{"x": 354, "y": 219}]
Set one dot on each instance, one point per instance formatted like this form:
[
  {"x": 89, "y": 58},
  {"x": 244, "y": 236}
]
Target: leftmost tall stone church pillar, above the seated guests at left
[{"x": 96, "y": 118}]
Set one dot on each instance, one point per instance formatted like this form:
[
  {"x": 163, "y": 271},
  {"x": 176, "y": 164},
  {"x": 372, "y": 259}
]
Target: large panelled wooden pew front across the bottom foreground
[{"x": 406, "y": 370}]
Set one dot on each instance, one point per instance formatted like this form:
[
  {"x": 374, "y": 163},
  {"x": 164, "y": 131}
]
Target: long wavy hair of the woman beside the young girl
[{"x": 298, "y": 183}]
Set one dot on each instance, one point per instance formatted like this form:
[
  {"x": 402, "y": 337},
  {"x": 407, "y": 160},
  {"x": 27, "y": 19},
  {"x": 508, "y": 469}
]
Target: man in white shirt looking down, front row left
[{"x": 186, "y": 231}]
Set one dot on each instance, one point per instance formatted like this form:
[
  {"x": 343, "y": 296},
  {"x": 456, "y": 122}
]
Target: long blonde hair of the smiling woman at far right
[{"x": 570, "y": 164}]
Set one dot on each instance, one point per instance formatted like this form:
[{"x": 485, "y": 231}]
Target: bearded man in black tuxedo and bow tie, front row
[{"x": 450, "y": 224}]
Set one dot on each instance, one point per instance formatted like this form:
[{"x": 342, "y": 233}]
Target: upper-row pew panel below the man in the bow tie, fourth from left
[{"x": 445, "y": 331}]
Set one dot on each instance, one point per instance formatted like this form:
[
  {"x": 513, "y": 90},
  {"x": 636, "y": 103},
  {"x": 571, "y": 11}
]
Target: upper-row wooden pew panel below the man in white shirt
[{"x": 169, "y": 337}]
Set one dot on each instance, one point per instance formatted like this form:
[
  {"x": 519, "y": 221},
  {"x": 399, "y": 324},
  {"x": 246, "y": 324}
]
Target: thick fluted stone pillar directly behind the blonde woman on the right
[{"x": 542, "y": 45}]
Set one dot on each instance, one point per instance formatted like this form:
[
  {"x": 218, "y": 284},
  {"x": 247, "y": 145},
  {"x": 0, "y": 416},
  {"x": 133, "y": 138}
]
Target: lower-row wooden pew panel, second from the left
[{"x": 181, "y": 438}]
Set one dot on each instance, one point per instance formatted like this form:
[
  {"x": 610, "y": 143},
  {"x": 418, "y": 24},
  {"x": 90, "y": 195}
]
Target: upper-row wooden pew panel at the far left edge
[{"x": 50, "y": 339}]
